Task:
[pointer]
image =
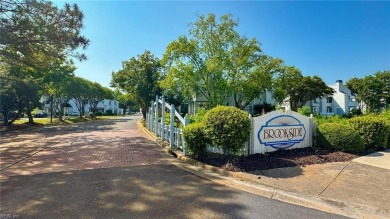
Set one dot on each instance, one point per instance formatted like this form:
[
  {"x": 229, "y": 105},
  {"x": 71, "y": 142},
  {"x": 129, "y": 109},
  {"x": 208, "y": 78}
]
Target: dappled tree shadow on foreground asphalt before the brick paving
[{"x": 139, "y": 192}]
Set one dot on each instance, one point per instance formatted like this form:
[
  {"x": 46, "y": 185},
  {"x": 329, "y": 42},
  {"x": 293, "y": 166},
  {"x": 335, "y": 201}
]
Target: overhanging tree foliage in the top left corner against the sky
[{"x": 35, "y": 31}]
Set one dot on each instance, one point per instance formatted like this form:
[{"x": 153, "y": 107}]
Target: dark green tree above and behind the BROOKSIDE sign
[{"x": 298, "y": 89}]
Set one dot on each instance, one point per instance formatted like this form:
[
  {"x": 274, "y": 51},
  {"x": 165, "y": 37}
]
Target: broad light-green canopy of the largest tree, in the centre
[{"x": 215, "y": 62}]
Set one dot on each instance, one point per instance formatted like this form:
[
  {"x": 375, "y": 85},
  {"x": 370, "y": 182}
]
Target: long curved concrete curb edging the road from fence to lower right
[{"x": 249, "y": 183}]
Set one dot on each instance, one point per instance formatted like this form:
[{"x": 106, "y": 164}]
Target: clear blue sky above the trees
[{"x": 334, "y": 40}]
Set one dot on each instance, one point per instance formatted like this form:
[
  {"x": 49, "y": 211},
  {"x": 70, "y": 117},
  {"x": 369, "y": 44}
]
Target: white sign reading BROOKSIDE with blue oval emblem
[{"x": 278, "y": 130}]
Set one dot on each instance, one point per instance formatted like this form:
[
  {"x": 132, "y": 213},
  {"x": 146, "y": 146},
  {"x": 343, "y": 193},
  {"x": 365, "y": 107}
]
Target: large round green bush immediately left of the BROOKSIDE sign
[{"x": 227, "y": 127}]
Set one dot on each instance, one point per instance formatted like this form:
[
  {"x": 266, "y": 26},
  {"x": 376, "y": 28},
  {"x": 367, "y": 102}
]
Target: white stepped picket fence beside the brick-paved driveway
[{"x": 155, "y": 122}]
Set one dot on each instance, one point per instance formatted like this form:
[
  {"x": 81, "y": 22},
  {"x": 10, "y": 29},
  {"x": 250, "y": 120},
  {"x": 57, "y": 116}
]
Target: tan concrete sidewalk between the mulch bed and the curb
[{"x": 362, "y": 184}]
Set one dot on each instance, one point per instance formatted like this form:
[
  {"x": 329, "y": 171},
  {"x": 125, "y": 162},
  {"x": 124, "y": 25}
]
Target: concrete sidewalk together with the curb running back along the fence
[{"x": 358, "y": 189}]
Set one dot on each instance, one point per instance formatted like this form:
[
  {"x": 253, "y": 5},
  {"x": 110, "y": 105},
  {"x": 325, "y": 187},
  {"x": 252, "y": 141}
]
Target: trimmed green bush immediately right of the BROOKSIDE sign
[{"x": 339, "y": 137}]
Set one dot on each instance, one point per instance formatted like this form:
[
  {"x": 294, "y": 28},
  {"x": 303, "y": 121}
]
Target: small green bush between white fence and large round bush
[{"x": 195, "y": 138}]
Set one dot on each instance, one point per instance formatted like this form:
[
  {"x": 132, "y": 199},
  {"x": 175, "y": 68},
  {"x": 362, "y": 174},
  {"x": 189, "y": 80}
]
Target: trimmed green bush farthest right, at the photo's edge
[{"x": 374, "y": 130}]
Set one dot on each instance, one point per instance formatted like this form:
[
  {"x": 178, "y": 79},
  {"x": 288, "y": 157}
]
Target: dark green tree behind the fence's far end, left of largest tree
[{"x": 139, "y": 77}]
